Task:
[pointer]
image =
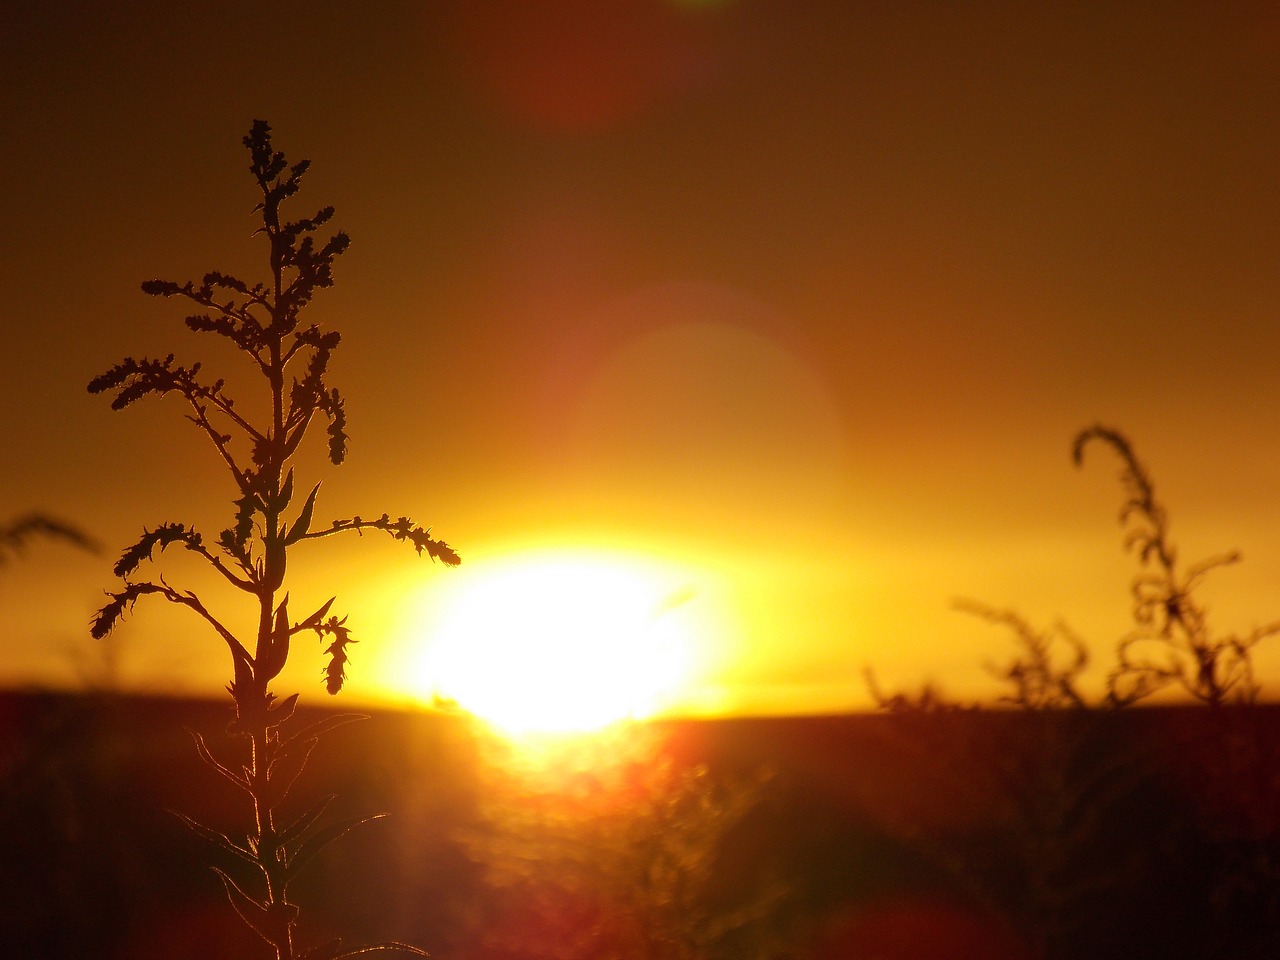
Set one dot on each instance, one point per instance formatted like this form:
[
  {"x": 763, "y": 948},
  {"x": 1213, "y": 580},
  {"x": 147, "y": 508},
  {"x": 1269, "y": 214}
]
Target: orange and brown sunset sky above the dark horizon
[{"x": 801, "y": 303}]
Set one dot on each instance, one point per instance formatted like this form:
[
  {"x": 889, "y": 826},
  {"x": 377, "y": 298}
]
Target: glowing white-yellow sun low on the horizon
[{"x": 556, "y": 642}]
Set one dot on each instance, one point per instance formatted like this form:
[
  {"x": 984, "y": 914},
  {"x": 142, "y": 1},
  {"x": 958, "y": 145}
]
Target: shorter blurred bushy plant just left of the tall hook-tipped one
[{"x": 1044, "y": 784}]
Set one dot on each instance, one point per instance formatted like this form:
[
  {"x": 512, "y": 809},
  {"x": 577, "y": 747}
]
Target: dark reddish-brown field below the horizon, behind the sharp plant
[{"x": 1140, "y": 834}]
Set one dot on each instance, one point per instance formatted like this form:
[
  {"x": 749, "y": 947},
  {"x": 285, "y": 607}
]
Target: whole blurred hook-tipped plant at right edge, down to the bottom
[{"x": 1174, "y": 644}]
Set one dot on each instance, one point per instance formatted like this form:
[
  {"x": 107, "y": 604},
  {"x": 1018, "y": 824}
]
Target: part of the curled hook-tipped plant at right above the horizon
[{"x": 1173, "y": 642}]
